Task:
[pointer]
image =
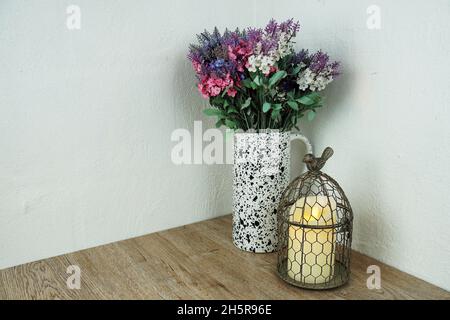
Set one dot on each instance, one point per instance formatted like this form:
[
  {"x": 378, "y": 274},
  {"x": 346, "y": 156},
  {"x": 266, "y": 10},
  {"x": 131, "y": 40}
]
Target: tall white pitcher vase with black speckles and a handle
[{"x": 261, "y": 173}]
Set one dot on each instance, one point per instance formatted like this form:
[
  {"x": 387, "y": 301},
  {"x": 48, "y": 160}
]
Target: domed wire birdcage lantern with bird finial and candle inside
[{"x": 315, "y": 223}]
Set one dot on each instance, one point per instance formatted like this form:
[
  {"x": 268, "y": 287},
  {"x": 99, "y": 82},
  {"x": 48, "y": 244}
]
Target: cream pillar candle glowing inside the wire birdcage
[{"x": 311, "y": 251}]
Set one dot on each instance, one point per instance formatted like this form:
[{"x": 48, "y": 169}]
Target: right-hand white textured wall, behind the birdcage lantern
[{"x": 388, "y": 119}]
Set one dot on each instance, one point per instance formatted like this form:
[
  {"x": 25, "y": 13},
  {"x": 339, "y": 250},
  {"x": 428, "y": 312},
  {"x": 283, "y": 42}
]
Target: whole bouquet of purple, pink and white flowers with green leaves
[{"x": 254, "y": 79}]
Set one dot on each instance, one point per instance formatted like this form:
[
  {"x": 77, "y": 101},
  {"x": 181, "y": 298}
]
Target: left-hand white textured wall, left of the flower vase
[{"x": 86, "y": 118}]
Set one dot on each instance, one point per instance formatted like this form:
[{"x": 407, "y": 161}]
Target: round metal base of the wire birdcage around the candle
[{"x": 340, "y": 277}]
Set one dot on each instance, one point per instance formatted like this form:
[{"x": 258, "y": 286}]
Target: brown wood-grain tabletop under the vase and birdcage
[{"x": 196, "y": 261}]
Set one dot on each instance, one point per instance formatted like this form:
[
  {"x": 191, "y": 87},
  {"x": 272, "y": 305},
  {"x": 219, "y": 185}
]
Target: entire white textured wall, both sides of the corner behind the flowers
[{"x": 86, "y": 117}]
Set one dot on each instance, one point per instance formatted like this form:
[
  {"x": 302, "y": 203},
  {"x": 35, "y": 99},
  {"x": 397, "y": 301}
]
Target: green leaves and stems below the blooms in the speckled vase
[{"x": 261, "y": 103}]
